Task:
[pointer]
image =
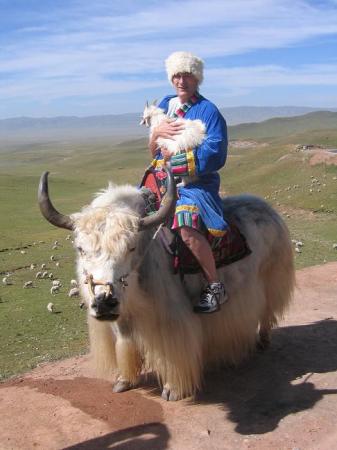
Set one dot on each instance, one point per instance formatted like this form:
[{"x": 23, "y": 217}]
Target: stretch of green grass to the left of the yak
[{"x": 28, "y": 332}]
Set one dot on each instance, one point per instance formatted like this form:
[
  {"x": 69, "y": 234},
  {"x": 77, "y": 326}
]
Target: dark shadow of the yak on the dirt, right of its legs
[{"x": 277, "y": 382}]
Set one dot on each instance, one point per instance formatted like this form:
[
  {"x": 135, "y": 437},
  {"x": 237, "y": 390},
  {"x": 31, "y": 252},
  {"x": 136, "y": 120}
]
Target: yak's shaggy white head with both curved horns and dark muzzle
[{"x": 108, "y": 240}]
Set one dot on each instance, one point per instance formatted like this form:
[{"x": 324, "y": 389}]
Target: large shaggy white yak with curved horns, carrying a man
[{"x": 140, "y": 313}]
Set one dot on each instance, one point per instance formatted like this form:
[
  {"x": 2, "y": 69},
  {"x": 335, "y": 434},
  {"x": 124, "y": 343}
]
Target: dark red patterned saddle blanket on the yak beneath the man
[{"x": 230, "y": 248}]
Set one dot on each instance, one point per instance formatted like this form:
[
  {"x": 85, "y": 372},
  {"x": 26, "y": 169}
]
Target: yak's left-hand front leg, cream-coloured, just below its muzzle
[{"x": 128, "y": 361}]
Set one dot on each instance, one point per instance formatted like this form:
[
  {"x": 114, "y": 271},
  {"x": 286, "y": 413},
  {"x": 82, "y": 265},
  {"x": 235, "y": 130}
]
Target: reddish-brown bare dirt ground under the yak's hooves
[{"x": 283, "y": 398}]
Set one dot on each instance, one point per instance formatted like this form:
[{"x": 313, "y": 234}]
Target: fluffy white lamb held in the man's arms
[{"x": 191, "y": 136}]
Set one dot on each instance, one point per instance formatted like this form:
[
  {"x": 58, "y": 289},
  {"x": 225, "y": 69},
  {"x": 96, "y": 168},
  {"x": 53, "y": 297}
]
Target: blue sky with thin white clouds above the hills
[{"x": 81, "y": 57}]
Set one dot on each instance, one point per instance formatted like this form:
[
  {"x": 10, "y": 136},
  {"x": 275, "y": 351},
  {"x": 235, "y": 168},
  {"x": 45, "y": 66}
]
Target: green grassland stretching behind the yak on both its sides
[{"x": 272, "y": 168}]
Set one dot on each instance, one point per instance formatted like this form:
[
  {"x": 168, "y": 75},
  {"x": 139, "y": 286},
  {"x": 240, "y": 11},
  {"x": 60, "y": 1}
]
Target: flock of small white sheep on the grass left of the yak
[{"x": 42, "y": 273}]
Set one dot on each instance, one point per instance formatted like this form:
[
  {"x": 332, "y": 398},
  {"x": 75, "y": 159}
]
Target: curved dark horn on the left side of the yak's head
[{"x": 47, "y": 209}]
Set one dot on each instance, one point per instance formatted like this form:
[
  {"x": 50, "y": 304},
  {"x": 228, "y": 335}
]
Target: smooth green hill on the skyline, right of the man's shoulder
[{"x": 278, "y": 127}]
